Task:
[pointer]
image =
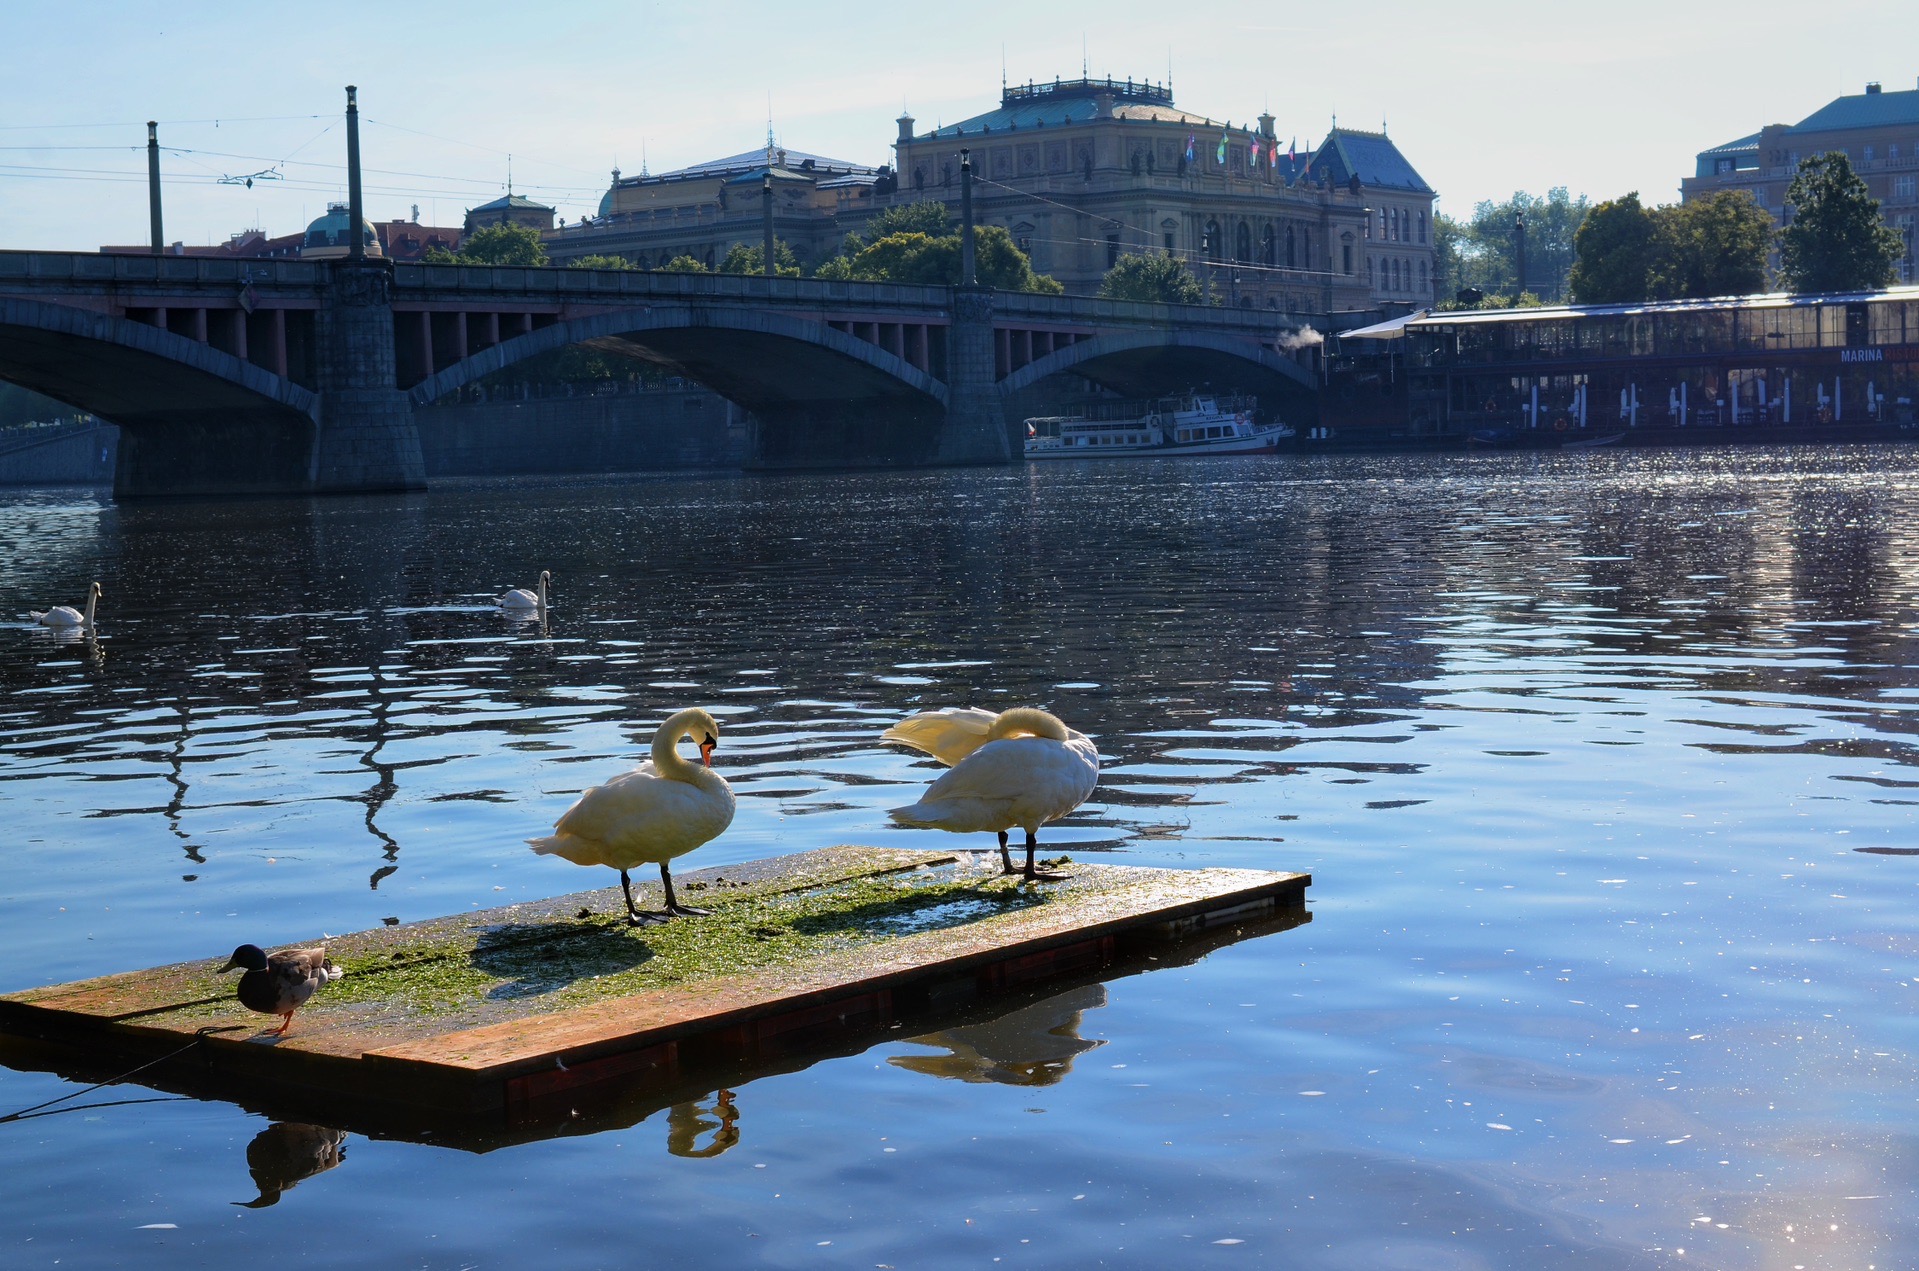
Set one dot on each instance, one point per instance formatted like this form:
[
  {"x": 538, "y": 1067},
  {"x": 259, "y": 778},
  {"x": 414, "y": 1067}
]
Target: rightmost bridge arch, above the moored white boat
[{"x": 1145, "y": 364}]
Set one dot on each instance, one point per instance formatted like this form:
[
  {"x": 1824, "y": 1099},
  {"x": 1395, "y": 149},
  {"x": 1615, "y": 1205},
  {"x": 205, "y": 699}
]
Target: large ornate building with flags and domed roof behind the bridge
[{"x": 1079, "y": 174}]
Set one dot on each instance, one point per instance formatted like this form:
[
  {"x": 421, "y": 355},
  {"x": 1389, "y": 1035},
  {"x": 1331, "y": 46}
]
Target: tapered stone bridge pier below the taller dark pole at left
[{"x": 367, "y": 439}]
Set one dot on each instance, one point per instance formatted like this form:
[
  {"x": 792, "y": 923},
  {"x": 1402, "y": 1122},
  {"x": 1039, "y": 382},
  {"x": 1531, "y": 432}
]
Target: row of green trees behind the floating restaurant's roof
[{"x": 1624, "y": 252}]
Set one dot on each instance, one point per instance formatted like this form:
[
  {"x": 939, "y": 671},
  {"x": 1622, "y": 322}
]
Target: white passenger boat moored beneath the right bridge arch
[{"x": 1185, "y": 425}]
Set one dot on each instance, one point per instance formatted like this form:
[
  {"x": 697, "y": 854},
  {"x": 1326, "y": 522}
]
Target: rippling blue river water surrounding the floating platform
[{"x": 1603, "y": 767}]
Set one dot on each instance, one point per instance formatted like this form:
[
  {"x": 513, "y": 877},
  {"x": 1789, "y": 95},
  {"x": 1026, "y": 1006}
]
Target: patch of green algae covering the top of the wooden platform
[{"x": 567, "y": 963}]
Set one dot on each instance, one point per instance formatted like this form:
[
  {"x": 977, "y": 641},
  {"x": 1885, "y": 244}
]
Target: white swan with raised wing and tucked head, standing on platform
[{"x": 1022, "y": 769}]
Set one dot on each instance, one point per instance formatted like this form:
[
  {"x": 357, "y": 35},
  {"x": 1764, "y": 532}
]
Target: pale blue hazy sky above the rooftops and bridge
[{"x": 1482, "y": 97}]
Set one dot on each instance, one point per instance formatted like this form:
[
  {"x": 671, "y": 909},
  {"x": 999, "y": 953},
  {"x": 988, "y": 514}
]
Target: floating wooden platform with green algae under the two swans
[{"x": 506, "y": 1015}]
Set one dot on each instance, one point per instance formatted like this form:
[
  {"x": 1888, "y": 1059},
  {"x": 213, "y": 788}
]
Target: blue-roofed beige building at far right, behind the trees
[{"x": 1878, "y": 132}]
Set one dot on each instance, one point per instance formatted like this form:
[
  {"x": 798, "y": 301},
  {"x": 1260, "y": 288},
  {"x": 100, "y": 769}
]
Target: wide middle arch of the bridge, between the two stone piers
[{"x": 765, "y": 360}]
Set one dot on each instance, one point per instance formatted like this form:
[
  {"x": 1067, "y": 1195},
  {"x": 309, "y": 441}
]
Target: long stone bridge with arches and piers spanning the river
[{"x": 254, "y": 377}]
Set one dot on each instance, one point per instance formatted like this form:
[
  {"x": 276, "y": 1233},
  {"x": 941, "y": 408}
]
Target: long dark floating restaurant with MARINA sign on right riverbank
[{"x": 1753, "y": 362}]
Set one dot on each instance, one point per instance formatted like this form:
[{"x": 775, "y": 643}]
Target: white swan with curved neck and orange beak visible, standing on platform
[{"x": 663, "y": 809}]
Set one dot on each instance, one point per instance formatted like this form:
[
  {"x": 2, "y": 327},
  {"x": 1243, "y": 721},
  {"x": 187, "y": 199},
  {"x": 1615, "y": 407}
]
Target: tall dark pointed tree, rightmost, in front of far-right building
[{"x": 1836, "y": 241}]
